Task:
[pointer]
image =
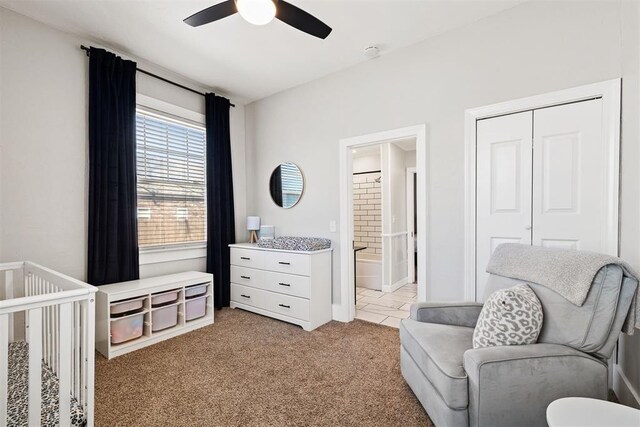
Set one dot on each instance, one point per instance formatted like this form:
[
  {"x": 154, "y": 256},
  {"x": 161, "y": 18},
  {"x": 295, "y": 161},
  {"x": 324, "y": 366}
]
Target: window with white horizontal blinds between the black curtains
[{"x": 171, "y": 180}]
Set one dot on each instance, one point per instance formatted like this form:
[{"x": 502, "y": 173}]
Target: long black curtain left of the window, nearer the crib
[{"x": 113, "y": 232}]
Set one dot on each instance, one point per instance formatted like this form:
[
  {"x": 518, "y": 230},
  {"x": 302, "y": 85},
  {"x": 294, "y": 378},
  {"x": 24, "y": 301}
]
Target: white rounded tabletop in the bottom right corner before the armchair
[{"x": 584, "y": 412}]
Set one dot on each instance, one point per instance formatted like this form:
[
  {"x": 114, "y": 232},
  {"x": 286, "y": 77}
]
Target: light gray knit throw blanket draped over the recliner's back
[{"x": 567, "y": 272}]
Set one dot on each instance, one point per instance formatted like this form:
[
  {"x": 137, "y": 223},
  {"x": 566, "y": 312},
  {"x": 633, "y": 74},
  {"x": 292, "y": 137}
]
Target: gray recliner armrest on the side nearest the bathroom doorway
[{"x": 447, "y": 313}]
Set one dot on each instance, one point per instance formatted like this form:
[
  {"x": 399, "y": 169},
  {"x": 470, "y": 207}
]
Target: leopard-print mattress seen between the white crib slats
[{"x": 18, "y": 392}]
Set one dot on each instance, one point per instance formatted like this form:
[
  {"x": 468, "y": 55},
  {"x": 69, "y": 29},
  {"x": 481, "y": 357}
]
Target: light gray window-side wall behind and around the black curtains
[{"x": 43, "y": 146}]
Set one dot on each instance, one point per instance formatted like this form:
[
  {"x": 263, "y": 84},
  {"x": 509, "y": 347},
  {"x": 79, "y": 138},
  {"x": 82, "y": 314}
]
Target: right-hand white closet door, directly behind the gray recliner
[{"x": 569, "y": 176}]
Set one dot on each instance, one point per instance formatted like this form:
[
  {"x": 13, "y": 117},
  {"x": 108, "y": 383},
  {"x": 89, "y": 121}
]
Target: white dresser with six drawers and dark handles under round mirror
[{"x": 292, "y": 286}]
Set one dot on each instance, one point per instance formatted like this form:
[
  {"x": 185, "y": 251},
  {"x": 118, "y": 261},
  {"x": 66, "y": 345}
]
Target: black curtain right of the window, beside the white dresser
[{"x": 220, "y": 211}]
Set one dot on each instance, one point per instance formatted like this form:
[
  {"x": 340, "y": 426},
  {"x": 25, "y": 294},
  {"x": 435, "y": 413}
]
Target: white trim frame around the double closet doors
[{"x": 610, "y": 93}]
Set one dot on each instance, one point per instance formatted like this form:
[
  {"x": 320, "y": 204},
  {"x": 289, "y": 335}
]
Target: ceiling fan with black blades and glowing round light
[{"x": 261, "y": 12}]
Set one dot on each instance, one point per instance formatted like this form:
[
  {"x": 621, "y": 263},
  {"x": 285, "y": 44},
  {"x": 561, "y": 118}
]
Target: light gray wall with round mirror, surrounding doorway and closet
[{"x": 534, "y": 48}]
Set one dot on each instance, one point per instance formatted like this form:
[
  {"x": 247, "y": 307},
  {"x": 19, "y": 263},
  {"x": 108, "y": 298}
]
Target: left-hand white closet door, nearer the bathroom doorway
[{"x": 503, "y": 180}]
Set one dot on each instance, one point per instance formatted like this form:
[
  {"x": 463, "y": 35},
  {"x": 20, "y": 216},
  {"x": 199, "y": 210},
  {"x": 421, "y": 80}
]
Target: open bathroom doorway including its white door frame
[{"x": 383, "y": 225}]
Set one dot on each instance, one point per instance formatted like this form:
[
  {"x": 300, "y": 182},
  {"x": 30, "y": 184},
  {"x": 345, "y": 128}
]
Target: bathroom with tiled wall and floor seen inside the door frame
[{"x": 383, "y": 231}]
